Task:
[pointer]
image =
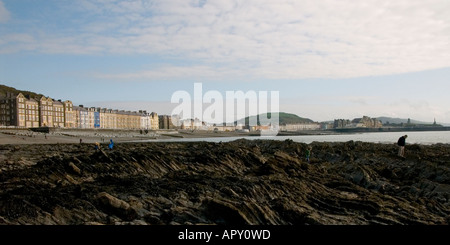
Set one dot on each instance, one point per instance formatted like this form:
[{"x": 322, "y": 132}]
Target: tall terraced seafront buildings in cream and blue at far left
[{"x": 20, "y": 111}]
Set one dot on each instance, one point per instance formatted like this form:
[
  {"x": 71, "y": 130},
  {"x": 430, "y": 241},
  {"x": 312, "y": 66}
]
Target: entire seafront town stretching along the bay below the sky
[{"x": 28, "y": 110}]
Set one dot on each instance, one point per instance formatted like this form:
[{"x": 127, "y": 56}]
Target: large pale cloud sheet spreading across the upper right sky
[{"x": 261, "y": 39}]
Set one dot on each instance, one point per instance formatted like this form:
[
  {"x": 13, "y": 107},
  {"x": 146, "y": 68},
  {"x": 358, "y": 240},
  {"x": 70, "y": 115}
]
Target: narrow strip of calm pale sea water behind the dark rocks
[{"x": 426, "y": 138}]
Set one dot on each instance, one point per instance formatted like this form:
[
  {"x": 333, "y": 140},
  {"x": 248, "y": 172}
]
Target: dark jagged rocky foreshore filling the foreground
[{"x": 257, "y": 182}]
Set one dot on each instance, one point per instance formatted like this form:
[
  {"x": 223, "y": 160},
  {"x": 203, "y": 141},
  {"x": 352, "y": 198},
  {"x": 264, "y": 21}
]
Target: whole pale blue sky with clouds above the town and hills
[{"x": 327, "y": 59}]
